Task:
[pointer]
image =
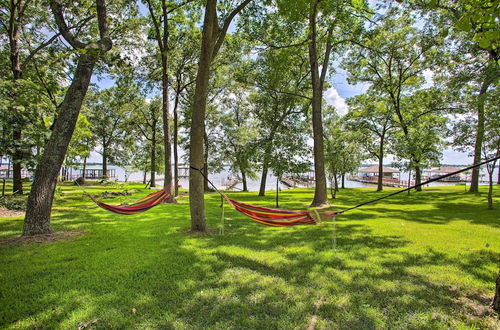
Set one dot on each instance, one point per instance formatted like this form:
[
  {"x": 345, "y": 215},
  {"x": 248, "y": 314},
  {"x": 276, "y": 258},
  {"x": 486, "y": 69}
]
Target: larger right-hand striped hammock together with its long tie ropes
[{"x": 283, "y": 218}]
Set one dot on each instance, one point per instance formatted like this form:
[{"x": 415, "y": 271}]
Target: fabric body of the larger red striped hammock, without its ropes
[{"x": 277, "y": 217}]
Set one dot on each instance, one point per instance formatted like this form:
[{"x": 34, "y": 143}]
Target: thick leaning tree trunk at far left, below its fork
[{"x": 37, "y": 219}]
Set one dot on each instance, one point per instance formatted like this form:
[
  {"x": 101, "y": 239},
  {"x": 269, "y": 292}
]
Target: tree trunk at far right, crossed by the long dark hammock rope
[{"x": 478, "y": 144}]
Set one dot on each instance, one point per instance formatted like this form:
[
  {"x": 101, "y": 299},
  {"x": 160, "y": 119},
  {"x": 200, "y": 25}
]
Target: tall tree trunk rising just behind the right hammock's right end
[{"x": 320, "y": 192}]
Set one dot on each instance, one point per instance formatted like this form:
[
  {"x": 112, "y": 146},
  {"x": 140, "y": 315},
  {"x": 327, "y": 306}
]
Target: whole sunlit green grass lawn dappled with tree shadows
[{"x": 428, "y": 260}]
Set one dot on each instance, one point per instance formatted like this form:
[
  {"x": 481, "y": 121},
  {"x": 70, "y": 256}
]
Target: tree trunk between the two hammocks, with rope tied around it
[{"x": 197, "y": 132}]
